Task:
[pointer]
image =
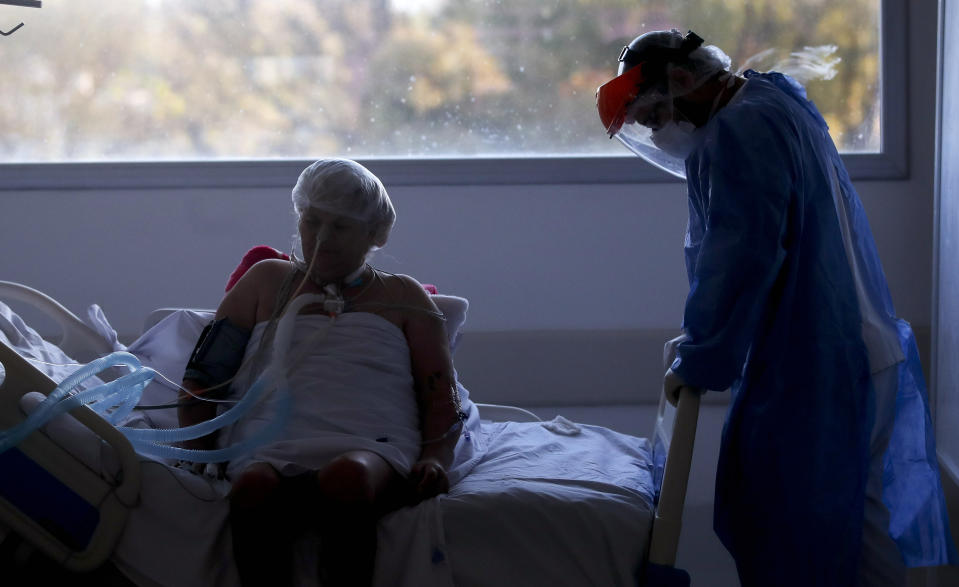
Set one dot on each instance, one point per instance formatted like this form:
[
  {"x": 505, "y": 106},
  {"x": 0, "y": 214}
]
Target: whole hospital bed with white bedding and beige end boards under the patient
[{"x": 553, "y": 502}]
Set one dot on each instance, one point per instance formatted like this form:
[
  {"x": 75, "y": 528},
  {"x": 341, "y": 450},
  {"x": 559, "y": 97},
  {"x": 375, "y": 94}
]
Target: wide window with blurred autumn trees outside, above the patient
[{"x": 96, "y": 80}]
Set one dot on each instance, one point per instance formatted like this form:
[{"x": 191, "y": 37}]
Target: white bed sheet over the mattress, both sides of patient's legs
[{"x": 540, "y": 509}]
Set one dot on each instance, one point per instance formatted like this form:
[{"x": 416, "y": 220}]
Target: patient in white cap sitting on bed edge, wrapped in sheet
[{"x": 374, "y": 420}]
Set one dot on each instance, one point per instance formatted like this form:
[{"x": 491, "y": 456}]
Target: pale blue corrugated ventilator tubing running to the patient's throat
[{"x": 115, "y": 400}]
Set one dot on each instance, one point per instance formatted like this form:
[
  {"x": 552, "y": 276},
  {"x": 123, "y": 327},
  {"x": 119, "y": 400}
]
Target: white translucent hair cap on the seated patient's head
[{"x": 344, "y": 187}]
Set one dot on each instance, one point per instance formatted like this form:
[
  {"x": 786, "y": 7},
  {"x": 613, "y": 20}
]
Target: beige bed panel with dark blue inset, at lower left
[{"x": 48, "y": 496}]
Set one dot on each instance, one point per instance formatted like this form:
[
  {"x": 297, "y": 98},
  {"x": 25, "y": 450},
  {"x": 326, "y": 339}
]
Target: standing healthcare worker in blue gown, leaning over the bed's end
[{"x": 827, "y": 471}]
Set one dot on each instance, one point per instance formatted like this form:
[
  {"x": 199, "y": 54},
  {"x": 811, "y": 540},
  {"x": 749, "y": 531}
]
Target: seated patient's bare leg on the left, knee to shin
[{"x": 262, "y": 538}]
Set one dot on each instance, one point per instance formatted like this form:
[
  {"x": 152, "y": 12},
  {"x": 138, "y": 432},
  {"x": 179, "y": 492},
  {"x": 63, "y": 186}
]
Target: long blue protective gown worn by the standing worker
[{"x": 772, "y": 314}]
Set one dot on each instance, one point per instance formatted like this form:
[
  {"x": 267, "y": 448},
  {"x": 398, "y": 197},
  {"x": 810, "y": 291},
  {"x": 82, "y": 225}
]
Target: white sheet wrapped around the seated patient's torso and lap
[{"x": 352, "y": 389}]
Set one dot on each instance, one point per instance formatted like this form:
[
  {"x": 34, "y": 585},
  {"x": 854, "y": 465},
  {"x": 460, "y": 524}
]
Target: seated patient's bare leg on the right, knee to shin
[{"x": 356, "y": 489}]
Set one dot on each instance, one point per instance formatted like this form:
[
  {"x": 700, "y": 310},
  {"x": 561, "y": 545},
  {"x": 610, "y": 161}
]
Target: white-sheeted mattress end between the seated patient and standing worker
[{"x": 560, "y": 510}]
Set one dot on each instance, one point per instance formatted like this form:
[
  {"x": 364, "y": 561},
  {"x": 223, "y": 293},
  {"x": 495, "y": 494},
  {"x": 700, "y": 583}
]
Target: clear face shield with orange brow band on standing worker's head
[{"x": 641, "y": 98}]
